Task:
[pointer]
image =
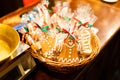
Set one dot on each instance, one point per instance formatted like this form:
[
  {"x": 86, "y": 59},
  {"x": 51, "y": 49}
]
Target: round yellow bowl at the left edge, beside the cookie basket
[{"x": 9, "y": 41}]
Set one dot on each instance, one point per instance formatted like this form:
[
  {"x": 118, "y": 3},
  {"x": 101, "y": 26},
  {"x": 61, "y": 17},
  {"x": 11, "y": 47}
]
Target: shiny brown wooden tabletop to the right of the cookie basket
[{"x": 108, "y": 18}]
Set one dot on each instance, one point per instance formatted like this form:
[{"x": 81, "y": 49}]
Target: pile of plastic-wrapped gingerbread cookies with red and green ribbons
[{"x": 62, "y": 36}]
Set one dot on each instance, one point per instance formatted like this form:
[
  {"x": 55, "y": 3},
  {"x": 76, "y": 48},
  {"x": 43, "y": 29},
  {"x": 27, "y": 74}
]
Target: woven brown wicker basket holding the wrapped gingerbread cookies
[{"x": 70, "y": 67}]
